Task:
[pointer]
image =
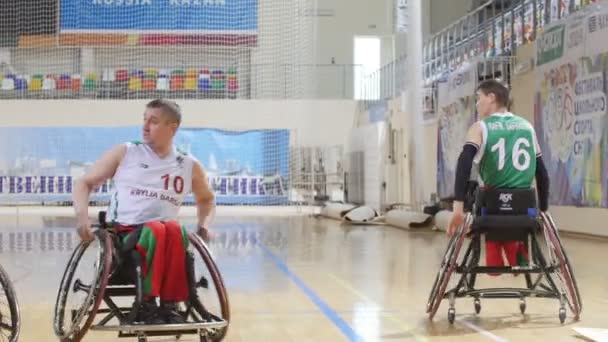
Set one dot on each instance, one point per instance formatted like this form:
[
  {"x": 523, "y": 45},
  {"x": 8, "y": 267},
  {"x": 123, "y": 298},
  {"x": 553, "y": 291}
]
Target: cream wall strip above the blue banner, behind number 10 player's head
[{"x": 313, "y": 123}]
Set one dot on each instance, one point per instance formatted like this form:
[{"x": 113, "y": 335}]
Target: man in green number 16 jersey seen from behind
[{"x": 507, "y": 151}]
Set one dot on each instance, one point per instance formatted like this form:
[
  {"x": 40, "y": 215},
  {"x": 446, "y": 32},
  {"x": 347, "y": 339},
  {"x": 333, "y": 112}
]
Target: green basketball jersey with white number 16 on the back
[{"x": 507, "y": 157}]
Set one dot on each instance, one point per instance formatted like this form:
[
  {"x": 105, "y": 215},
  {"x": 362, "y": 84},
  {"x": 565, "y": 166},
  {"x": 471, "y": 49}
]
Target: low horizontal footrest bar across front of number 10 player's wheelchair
[{"x": 169, "y": 329}]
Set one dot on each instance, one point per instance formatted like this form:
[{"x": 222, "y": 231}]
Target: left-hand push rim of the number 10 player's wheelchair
[{"x": 94, "y": 295}]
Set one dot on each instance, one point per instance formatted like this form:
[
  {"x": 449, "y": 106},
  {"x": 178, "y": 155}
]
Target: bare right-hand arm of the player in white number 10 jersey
[{"x": 204, "y": 197}]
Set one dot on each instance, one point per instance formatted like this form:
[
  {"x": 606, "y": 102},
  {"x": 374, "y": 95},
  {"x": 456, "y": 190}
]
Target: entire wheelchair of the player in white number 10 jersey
[{"x": 206, "y": 312}]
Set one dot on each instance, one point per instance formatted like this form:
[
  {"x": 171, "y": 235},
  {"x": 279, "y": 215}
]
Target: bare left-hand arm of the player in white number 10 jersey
[{"x": 103, "y": 169}]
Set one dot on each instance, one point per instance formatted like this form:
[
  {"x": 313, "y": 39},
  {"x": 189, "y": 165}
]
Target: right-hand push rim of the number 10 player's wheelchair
[{"x": 218, "y": 282}]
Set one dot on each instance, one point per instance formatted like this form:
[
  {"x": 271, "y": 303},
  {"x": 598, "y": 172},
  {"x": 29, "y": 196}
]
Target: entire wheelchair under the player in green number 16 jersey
[{"x": 506, "y": 215}]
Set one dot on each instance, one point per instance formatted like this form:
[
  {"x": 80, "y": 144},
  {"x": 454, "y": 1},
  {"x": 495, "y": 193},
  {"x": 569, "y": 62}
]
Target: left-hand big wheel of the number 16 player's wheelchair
[{"x": 448, "y": 265}]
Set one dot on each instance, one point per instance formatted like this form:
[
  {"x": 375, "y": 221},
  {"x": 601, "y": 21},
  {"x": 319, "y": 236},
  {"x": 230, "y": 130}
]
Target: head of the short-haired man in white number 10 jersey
[{"x": 161, "y": 121}]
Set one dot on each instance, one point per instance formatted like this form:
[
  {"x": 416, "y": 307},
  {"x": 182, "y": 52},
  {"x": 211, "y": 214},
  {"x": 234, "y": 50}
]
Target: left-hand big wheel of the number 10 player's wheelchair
[{"x": 71, "y": 324}]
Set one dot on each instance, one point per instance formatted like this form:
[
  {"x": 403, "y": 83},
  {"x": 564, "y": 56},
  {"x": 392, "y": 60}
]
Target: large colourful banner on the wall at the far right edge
[{"x": 570, "y": 109}]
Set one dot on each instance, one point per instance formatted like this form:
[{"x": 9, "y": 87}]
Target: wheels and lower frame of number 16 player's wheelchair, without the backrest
[{"x": 565, "y": 289}]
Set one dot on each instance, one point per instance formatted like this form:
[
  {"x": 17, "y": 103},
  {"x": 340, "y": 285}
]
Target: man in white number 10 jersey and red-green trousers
[{"x": 150, "y": 181}]
